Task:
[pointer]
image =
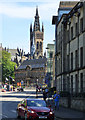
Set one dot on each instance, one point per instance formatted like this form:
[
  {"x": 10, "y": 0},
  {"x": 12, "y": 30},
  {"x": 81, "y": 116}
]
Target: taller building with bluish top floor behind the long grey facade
[{"x": 64, "y": 8}]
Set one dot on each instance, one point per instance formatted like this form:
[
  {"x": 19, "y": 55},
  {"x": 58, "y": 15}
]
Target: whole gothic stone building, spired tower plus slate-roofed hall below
[{"x": 33, "y": 69}]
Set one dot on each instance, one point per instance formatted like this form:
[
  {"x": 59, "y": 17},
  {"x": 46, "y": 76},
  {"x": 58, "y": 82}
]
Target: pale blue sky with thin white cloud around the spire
[{"x": 16, "y": 17}]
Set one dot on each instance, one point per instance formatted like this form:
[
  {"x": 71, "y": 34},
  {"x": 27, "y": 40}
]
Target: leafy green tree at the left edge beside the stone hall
[{"x": 7, "y": 66}]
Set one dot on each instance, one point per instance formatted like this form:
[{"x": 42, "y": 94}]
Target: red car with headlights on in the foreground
[{"x": 34, "y": 109}]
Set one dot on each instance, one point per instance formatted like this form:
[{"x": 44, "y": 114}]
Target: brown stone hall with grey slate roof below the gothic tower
[{"x": 30, "y": 71}]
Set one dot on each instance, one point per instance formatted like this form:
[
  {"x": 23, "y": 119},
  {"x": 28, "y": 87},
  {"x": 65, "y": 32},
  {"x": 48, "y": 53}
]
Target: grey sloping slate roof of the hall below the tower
[{"x": 33, "y": 63}]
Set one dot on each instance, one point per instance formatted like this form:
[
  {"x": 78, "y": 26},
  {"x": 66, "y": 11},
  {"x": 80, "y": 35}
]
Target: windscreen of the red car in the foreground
[{"x": 36, "y": 103}]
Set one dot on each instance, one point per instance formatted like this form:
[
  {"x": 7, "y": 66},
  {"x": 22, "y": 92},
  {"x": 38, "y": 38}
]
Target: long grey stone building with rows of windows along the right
[{"x": 70, "y": 56}]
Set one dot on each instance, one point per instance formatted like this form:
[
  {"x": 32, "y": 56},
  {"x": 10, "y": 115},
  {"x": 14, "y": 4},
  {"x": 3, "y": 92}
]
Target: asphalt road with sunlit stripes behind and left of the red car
[{"x": 10, "y": 101}]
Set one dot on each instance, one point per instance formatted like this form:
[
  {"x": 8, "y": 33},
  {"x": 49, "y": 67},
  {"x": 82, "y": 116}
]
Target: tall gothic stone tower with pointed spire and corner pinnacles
[{"x": 36, "y": 37}]
